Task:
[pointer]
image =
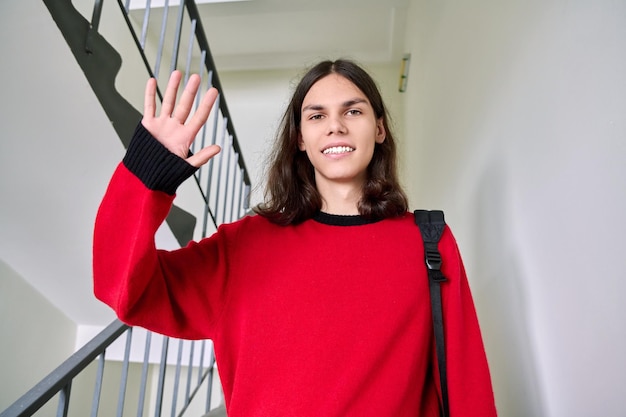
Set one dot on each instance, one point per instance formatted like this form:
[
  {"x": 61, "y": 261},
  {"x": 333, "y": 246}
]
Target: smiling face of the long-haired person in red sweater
[{"x": 338, "y": 132}]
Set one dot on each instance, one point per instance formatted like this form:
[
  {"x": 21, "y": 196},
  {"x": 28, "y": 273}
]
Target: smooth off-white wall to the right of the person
[{"x": 515, "y": 111}]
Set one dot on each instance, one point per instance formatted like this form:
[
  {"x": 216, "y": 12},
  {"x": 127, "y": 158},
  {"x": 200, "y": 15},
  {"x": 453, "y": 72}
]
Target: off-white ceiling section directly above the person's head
[{"x": 272, "y": 34}]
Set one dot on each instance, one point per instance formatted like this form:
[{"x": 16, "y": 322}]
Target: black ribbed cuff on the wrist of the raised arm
[{"x": 157, "y": 167}]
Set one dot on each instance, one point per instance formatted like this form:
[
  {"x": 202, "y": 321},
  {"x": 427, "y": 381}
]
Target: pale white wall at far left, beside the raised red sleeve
[{"x": 57, "y": 152}]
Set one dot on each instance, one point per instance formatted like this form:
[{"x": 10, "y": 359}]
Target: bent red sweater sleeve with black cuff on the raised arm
[{"x": 177, "y": 293}]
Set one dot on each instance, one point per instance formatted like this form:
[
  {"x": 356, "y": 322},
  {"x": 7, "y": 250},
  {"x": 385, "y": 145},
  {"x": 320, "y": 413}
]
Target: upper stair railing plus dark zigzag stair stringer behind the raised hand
[{"x": 224, "y": 183}]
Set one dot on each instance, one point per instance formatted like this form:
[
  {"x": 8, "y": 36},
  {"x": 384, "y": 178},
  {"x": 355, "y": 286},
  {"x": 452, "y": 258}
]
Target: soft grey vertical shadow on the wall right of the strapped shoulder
[{"x": 501, "y": 297}]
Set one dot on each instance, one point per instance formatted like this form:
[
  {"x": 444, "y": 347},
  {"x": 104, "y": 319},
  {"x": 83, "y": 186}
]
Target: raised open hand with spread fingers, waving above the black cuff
[{"x": 171, "y": 126}]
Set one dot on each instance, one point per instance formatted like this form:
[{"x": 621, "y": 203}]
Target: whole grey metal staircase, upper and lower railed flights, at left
[{"x": 174, "y": 377}]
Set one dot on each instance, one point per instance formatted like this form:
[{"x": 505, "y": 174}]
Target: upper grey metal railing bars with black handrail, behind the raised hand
[{"x": 224, "y": 181}]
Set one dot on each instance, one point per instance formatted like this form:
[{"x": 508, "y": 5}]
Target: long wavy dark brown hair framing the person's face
[{"x": 291, "y": 195}]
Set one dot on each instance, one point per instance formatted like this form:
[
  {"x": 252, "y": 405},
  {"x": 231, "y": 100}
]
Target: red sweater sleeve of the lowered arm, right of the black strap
[{"x": 470, "y": 392}]
